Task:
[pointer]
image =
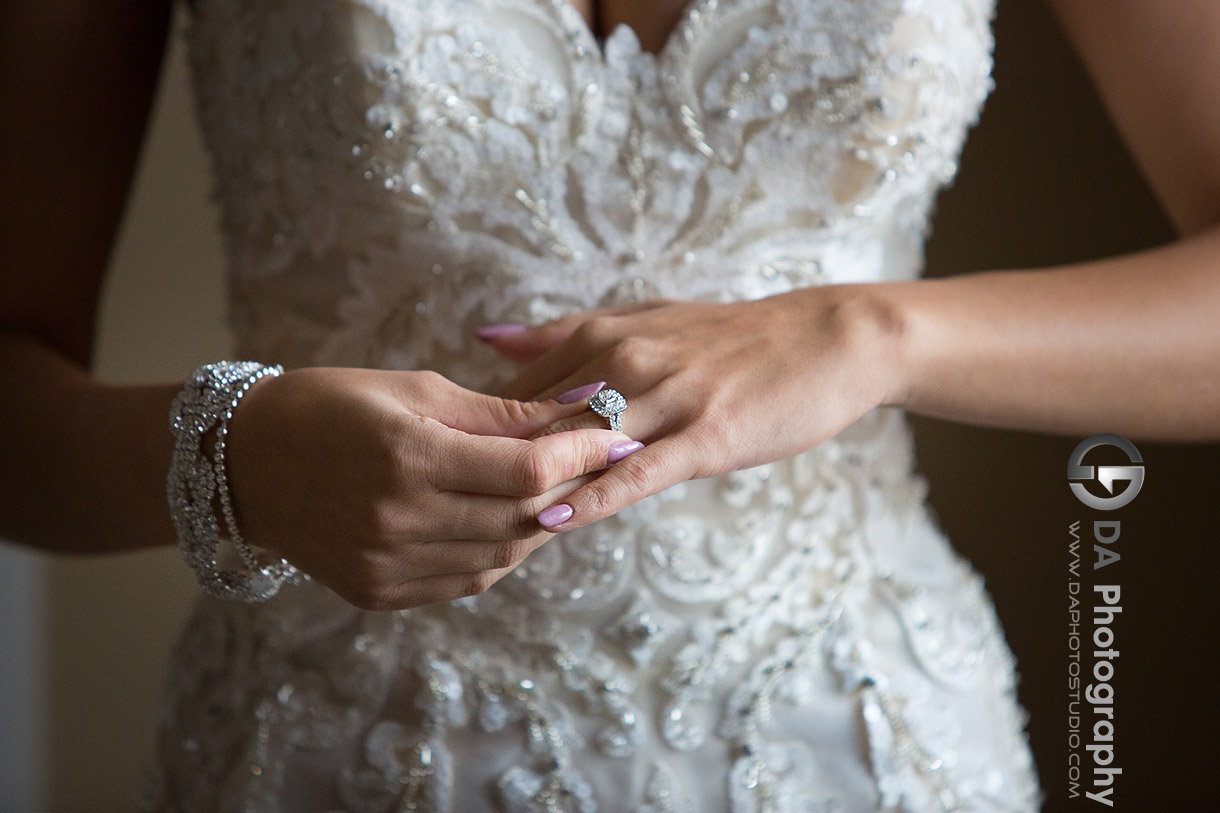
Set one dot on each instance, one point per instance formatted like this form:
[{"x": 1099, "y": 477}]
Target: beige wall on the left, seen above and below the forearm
[{"x": 112, "y": 622}]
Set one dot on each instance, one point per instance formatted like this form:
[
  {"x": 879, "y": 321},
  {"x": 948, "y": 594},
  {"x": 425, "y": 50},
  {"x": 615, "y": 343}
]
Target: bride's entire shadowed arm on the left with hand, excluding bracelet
[{"x": 393, "y": 489}]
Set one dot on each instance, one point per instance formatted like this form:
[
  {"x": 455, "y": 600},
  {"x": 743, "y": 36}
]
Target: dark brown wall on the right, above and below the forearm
[{"x": 1046, "y": 181}]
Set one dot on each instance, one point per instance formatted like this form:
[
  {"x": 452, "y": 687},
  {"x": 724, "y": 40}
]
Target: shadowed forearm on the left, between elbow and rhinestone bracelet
[{"x": 84, "y": 463}]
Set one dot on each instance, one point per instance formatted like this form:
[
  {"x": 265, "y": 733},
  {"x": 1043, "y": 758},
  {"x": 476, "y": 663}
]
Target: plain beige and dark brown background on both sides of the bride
[{"x": 1044, "y": 181}]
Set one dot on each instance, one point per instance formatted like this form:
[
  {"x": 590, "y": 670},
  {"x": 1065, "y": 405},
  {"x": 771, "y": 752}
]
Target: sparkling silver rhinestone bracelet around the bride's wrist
[{"x": 197, "y": 485}]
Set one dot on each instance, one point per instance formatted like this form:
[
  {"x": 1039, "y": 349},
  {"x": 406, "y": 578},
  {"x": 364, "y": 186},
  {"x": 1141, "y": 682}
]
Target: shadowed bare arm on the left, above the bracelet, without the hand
[{"x": 82, "y": 463}]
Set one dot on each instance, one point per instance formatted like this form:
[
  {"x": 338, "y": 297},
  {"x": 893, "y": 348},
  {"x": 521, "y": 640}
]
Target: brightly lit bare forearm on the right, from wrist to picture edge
[{"x": 1129, "y": 345}]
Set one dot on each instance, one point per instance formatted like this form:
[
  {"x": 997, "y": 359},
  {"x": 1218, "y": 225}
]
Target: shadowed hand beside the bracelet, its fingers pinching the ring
[{"x": 400, "y": 489}]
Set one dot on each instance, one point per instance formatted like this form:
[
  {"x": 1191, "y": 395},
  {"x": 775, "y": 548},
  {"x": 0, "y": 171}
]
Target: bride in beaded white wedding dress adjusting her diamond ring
[{"x": 680, "y": 561}]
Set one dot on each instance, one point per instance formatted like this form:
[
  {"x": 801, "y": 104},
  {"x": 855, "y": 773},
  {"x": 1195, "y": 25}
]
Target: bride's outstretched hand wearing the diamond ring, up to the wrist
[{"x": 711, "y": 388}]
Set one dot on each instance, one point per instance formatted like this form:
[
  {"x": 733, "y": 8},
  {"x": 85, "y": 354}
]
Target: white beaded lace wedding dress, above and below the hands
[{"x": 800, "y": 637}]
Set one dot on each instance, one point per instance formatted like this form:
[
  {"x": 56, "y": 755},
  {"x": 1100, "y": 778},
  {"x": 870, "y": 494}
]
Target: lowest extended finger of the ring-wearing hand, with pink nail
[{"x": 650, "y": 472}]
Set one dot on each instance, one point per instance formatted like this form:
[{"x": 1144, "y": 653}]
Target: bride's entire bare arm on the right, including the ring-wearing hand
[{"x": 1129, "y": 345}]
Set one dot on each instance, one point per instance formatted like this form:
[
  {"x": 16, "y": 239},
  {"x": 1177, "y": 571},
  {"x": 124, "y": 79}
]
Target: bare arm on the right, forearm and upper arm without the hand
[{"x": 1129, "y": 345}]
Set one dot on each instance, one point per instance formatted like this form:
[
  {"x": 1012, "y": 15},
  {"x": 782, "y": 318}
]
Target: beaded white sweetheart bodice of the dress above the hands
[{"x": 395, "y": 174}]
